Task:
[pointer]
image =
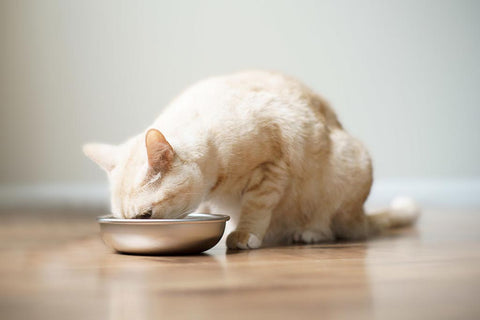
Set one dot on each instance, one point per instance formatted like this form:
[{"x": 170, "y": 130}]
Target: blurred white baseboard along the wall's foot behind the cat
[{"x": 428, "y": 192}]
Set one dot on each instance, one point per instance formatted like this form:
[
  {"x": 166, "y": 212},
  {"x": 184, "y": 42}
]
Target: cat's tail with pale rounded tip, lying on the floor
[{"x": 403, "y": 212}]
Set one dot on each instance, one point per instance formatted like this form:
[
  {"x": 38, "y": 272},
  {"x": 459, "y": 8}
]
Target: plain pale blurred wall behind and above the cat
[{"x": 403, "y": 75}]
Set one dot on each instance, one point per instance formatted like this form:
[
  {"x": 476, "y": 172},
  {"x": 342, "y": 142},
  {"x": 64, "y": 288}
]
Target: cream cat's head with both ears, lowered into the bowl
[{"x": 147, "y": 177}]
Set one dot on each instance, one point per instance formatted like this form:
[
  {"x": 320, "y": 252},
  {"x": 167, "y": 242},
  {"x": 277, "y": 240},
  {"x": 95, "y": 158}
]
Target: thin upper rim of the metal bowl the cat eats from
[{"x": 195, "y": 217}]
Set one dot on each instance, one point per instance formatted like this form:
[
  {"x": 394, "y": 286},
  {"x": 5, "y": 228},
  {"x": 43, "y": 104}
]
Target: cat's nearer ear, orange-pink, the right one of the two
[{"x": 159, "y": 152}]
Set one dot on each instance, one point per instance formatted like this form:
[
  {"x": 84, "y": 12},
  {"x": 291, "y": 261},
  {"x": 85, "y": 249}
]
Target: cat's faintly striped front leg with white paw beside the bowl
[{"x": 259, "y": 198}]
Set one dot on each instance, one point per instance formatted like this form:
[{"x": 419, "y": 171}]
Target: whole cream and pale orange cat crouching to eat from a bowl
[{"x": 257, "y": 145}]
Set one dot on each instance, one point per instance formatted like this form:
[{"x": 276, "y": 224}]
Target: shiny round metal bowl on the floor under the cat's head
[{"x": 193, "y": 234}]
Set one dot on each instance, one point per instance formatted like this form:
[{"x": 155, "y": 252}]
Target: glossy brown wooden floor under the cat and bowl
[{"x": 54, "y": 266}]
